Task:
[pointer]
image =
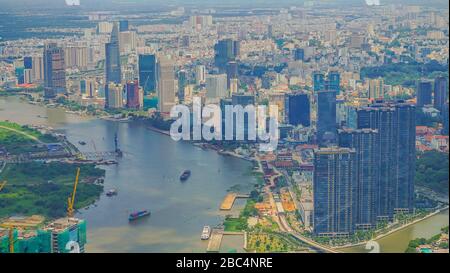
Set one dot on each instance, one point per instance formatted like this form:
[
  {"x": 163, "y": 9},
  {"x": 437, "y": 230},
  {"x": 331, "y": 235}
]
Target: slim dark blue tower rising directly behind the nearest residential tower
[{"x": 326, "y": 117}]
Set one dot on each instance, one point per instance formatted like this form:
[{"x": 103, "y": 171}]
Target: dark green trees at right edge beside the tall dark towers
[{"x": 432, "y": 171}]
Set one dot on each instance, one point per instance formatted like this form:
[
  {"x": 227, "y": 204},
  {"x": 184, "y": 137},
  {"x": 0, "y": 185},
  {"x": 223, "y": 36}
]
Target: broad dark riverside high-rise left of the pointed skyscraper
[{"x": 54, "y": 71}]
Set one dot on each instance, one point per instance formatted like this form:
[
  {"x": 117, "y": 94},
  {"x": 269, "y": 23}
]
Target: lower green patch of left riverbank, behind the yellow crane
[{"x": 43, "y": 188}]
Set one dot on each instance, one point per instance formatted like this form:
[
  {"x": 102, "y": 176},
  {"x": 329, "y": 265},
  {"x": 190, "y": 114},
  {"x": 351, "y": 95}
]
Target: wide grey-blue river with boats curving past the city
[{"x": 147, "y": 178}]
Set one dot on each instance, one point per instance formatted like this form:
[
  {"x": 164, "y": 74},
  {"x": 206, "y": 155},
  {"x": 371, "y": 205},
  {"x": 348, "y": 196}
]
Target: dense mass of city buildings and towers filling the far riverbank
[{"x": 362, "y": 129}]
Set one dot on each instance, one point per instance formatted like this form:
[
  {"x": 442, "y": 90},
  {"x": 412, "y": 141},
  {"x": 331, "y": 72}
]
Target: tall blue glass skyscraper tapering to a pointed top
[{"x": 112, "y": 60}]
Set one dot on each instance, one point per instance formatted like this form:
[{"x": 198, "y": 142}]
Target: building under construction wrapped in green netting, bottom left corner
[{"x": 29, "y": 235}]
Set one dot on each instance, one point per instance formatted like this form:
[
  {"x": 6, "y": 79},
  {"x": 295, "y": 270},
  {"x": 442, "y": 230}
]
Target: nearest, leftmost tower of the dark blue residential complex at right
[{"x": 334, "y": 190}]
